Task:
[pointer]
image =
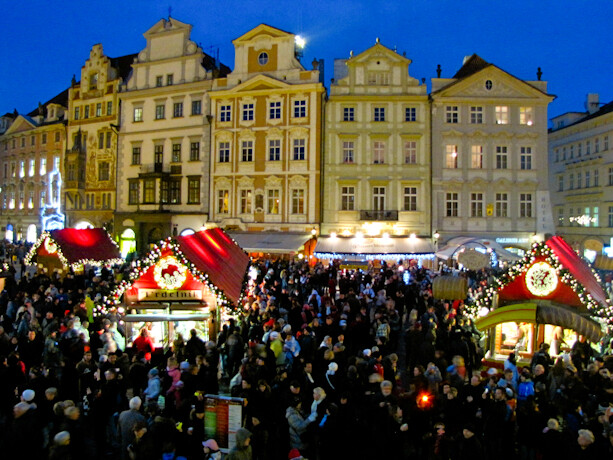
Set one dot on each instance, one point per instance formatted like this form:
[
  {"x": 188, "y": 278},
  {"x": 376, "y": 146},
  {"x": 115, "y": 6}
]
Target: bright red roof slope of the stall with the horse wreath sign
[{"x": 213, "y": 252}]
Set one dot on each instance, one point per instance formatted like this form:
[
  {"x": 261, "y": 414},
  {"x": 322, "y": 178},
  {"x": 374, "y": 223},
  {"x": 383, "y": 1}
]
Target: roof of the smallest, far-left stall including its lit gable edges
[{"x": 88, "y": 245}]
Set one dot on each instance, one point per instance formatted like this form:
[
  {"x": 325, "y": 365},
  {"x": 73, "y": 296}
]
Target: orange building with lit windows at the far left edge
[{"x": 31, "y": 150}]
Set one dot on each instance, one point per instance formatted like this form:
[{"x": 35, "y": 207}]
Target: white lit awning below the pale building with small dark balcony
[{"x": 404, "y": 247}]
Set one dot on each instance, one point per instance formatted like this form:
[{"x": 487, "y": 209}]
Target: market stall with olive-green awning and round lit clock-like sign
[{"x": 550, "y": 296}]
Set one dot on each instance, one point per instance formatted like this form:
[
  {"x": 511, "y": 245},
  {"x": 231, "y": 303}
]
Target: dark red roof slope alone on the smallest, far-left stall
[{"x": 85, "y": 244}]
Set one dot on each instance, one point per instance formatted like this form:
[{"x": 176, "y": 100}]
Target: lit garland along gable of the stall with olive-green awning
[{"x": 482, "y": 304}]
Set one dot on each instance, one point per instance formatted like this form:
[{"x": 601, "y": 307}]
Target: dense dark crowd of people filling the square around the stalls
[{"x": 329, "y": 363}]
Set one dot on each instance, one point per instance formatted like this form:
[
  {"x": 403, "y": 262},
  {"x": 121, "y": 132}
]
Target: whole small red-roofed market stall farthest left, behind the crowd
[{"x": 71, "y": 248}]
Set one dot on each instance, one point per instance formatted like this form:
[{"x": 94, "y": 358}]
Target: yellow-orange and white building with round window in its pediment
[{"x": 267, "y": 138}]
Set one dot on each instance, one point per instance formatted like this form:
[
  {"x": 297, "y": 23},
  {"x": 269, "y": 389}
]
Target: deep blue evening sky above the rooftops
[{"x": 45, "y": 42}]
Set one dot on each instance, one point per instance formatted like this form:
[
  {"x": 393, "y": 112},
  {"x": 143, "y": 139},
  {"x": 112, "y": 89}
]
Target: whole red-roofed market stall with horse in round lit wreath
[{"x": 181, "y": 285}]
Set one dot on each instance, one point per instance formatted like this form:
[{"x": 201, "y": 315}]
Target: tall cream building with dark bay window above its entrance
[{"x": 163, "y": 170}]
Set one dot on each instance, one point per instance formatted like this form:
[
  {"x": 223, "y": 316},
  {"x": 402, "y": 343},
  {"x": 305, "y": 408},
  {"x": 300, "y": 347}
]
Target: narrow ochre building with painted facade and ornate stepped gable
[{"x": 91, "y": 155}]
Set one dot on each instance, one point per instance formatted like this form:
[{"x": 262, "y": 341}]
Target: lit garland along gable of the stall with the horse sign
[{"x": 143, "y": 265}]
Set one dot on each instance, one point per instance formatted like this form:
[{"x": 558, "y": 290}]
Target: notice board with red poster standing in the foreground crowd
[{"x": 223, "y": 416}]
